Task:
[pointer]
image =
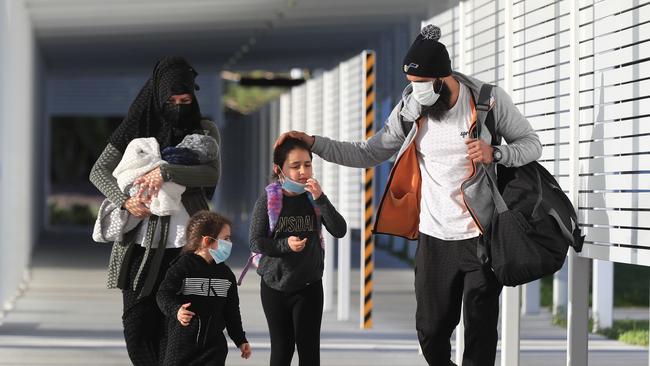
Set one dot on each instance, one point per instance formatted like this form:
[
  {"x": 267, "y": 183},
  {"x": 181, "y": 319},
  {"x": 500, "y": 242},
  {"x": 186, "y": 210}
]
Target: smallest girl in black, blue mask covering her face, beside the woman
[{"x": 199, "y": 296}]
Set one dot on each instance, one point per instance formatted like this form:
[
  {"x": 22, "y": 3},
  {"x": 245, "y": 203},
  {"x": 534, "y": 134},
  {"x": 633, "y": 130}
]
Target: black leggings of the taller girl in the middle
[{"x": 294, "y": 320}]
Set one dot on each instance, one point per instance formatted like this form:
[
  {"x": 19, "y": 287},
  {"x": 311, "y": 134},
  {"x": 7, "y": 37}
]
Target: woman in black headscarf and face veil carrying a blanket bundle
[{"x": 165, "y": 108}]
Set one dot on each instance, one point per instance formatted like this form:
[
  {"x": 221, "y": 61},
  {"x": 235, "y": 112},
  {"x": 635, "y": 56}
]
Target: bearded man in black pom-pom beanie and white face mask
[{"x": 438, "y": 193}]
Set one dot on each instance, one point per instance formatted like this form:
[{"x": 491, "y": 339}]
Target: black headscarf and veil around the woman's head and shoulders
[{"x": 145, "y": 118}]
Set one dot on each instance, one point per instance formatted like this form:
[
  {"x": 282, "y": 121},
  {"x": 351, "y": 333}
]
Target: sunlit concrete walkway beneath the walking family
[{"x": 67, "y": 317}]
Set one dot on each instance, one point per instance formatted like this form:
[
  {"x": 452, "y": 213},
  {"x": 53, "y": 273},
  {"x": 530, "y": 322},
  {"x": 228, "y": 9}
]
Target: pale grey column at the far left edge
[{"x": 17, "y": 148}]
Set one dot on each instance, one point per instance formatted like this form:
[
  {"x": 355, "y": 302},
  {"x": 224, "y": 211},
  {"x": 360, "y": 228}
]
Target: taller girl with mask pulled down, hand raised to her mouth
[{"x": 286, "y": 229}]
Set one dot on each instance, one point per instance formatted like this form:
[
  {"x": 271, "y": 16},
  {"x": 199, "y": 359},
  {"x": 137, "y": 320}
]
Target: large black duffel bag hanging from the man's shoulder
[{"x": 533, "y": 226}]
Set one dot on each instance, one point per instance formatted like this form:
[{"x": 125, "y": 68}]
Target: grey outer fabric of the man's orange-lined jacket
[{"x": 523, "y": 145}]
